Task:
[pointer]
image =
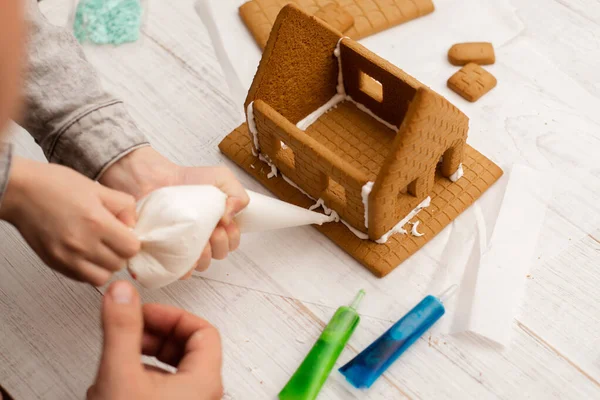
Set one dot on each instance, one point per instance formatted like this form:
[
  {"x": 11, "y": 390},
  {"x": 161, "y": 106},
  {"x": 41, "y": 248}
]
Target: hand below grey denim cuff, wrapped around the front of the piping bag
[{"x": 145, "y": 170}]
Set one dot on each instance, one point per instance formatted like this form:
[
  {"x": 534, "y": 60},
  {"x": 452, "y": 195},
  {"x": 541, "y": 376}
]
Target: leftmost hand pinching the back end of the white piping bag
[{"x": 77, "y": 227}]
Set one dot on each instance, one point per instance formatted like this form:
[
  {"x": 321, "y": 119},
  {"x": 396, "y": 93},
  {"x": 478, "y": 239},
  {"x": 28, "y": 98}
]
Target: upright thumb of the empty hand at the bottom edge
[{"x": 122, "y": 324}]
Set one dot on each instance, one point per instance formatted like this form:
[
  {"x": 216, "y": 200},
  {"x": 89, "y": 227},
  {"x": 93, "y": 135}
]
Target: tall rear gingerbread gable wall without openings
[{"x": 298, "y": 71}]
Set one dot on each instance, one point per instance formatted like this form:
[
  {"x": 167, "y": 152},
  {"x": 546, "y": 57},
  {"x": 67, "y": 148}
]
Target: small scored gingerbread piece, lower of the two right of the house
[{"x": 472, "y": 82}]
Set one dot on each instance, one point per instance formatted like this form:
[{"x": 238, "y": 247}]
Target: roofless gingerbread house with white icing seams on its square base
[{"x": 340, "y": 126}]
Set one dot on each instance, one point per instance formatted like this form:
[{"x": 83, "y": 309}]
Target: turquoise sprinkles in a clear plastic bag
[{"x": 108, "y": 21}]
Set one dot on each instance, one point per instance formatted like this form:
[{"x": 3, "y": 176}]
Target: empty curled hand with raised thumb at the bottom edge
[{"x": 171, "y": 335}]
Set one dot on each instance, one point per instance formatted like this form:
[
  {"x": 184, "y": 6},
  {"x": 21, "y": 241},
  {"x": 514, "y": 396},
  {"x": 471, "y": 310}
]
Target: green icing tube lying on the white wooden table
[{"x": 310, "y": 376}]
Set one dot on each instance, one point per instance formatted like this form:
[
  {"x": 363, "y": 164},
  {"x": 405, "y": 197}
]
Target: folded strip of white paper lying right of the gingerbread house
[{"x": 505, "y": 263}]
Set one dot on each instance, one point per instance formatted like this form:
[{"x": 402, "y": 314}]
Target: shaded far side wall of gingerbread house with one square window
[{"x": 398, "y": 88}]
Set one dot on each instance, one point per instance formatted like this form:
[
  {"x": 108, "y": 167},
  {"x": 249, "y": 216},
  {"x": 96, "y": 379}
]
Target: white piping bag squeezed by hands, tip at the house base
[{"x": 175, "y": 223}]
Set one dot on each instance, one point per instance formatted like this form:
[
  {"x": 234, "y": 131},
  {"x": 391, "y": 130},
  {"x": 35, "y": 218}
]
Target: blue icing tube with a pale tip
[{"x": 364, "y": 369}]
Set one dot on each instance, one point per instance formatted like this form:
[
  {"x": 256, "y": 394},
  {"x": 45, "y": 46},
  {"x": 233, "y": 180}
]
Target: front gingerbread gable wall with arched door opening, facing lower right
[{"x": 432, "y": 128}]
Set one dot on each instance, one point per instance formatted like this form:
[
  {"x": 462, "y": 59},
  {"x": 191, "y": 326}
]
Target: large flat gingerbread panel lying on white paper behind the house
[{"x": 369, "y": 16}]
